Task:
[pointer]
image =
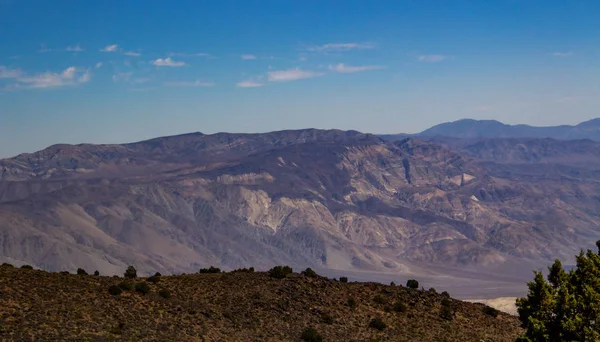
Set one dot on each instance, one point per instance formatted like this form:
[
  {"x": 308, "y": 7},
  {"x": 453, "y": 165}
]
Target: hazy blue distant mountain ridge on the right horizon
[{"x": 469, "y": 128}]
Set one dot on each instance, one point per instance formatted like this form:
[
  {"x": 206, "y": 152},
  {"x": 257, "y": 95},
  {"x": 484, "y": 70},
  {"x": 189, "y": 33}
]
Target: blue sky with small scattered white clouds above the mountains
[{"x": 119, "y": 71}]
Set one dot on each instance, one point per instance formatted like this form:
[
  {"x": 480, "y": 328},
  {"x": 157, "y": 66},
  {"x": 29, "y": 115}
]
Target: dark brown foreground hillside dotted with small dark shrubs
[{"x": 236, "y": 306}]
